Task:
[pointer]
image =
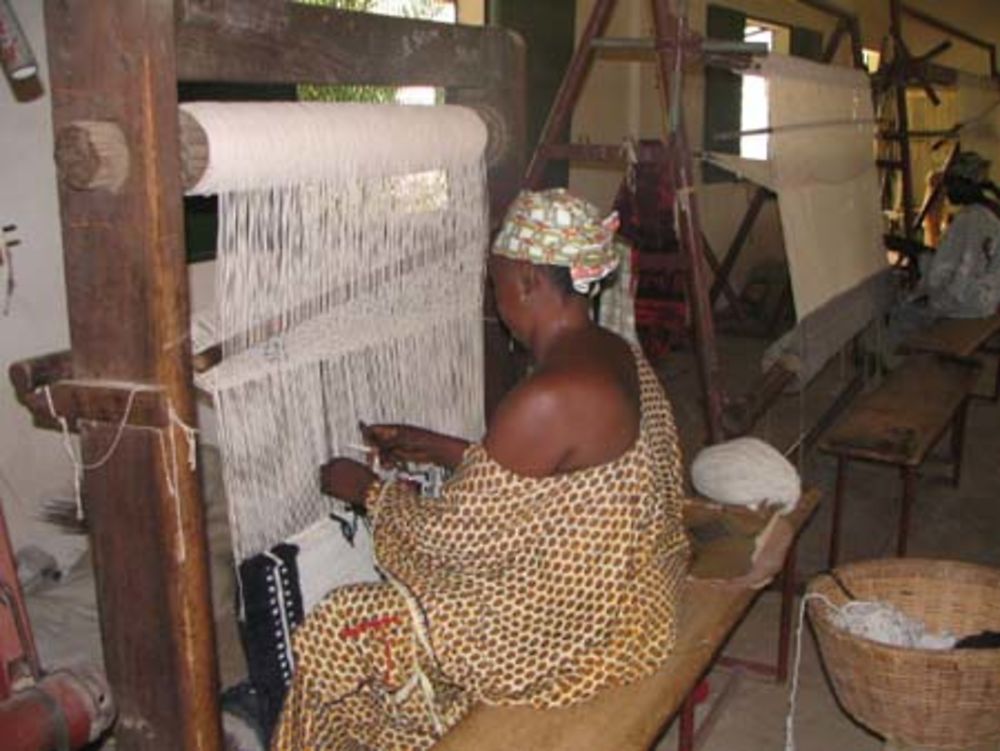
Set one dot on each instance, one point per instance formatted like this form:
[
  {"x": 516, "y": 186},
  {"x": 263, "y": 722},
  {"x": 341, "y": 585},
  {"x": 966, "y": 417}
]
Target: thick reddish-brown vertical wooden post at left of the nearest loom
[{"x": 126, "y": 287}]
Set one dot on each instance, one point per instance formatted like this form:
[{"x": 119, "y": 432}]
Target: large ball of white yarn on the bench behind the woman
[{"x": 746, "y": 472}]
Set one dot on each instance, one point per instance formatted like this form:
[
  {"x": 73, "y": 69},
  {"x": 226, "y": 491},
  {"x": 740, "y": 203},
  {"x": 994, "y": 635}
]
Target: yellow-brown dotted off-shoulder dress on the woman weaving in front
[{"x": 506, "y": 590}]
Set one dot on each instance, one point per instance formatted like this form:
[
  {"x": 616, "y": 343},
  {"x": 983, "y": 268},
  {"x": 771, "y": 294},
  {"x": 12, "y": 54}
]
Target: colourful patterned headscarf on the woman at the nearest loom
[{"x": 555, "y": 228}]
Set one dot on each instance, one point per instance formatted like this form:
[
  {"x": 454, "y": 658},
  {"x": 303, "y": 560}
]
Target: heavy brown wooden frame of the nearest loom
[{"x": 114, "y": 70}]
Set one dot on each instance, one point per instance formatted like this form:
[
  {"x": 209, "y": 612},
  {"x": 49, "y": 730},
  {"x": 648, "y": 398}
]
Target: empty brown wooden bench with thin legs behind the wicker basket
[{"x": 898, "y": 423}]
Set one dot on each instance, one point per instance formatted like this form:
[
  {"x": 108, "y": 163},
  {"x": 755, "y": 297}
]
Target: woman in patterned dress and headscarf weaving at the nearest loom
[{"x": 551, "y": 565}]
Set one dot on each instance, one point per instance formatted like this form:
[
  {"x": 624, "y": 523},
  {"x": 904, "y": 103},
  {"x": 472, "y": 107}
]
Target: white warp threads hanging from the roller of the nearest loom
[{"x": 349, "y": 279}]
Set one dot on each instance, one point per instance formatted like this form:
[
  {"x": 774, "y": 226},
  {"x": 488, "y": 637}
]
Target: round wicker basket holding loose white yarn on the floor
[{"x": 946, "y": 699}]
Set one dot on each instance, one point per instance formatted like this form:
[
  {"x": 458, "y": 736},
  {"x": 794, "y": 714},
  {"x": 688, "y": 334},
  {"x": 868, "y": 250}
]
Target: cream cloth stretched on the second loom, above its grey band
[{"x": 821, "y": 163}]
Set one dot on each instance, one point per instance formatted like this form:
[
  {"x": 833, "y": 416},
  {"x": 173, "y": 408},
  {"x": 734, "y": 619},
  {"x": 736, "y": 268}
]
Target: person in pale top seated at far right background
[{"x": 962, "y": 278}]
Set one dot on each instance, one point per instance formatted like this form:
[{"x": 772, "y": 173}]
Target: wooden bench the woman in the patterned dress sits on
[{"x": 632, "y": 717}]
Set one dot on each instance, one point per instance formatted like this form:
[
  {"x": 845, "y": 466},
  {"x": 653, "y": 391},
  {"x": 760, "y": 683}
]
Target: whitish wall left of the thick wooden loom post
[{"x": 33, "y": 466}]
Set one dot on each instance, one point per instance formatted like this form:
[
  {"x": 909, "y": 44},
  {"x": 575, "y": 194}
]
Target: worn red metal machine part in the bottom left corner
[{"x": 66, "y": 709}]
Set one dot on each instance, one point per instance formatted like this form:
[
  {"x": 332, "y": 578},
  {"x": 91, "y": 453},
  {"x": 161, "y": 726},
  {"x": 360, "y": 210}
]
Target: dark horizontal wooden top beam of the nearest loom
[{"x": 326, "y": 46}]
